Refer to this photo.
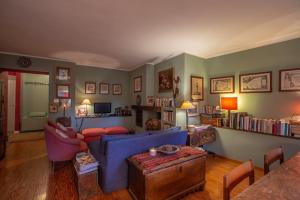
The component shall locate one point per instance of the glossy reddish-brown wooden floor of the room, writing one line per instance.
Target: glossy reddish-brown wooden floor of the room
(25, 174)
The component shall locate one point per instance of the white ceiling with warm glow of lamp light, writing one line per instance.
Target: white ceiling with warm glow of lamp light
(124, 34)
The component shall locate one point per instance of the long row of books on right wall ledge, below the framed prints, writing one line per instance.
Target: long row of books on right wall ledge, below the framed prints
(243, 121)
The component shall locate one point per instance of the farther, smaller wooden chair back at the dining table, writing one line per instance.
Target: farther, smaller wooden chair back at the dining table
(272, 156)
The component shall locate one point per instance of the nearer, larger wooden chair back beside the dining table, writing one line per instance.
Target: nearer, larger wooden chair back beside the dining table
(236, 176)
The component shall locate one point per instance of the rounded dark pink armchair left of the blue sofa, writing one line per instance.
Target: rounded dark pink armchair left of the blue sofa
(61, 147)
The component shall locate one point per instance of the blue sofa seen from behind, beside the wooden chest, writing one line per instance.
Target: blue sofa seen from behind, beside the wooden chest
(112, 153)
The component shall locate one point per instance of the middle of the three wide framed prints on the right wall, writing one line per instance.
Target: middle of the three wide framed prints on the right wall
(256, 82)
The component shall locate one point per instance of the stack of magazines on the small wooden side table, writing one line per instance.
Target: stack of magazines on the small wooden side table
(85, 163)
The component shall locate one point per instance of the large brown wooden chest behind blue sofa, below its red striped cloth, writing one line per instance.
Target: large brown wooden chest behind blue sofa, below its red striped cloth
(169, 180)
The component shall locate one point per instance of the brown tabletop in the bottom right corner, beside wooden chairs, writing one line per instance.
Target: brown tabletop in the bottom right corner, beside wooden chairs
(282, 183)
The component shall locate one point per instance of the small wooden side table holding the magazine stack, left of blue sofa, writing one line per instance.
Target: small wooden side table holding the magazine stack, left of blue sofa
(87, 184)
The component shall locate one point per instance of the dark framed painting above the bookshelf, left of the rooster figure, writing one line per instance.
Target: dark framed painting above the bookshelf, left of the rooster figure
(165, 80)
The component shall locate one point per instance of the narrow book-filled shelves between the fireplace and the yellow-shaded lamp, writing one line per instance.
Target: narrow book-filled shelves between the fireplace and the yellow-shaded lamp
(168, 117)
